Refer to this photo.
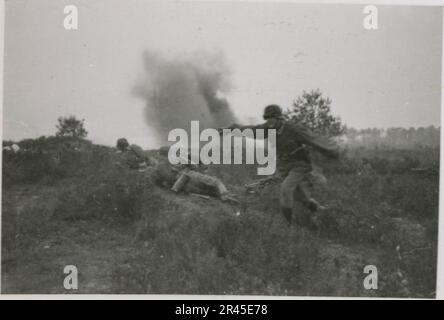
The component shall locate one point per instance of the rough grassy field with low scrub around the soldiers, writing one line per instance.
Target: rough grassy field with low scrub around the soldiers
(66, 202)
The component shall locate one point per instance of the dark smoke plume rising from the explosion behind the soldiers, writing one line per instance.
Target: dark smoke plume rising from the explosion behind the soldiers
(178, 91)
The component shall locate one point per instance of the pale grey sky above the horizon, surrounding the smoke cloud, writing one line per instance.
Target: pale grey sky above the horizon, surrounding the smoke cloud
(375, 78)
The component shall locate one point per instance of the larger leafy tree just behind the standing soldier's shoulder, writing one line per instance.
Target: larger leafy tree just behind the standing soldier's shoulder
(314, 111)
